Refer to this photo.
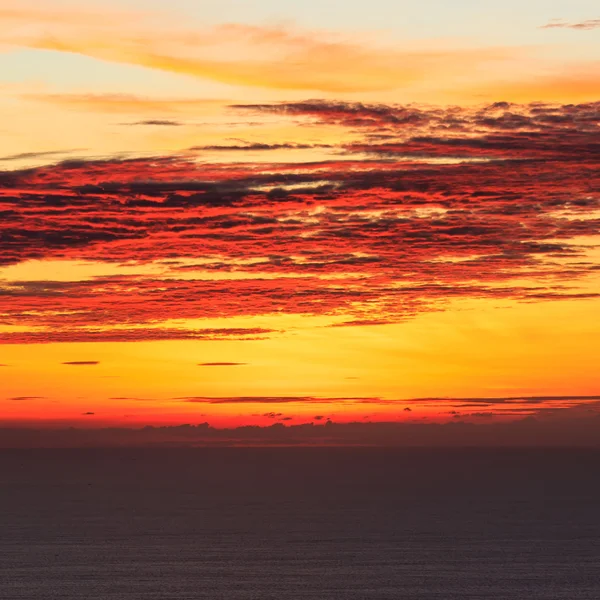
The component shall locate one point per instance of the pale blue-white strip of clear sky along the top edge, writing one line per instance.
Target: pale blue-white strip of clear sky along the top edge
(514, 21)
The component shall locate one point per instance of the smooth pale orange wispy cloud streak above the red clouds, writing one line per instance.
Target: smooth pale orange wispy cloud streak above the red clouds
(266, 56)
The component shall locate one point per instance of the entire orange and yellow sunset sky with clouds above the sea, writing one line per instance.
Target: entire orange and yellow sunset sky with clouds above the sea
(285, 218)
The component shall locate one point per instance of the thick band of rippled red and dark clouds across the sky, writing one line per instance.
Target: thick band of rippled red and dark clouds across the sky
(426, 206)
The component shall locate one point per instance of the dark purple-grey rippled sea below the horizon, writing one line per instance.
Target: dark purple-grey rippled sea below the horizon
(347, 524)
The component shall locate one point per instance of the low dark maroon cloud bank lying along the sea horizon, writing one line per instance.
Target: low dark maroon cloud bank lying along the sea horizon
(582, 432)
